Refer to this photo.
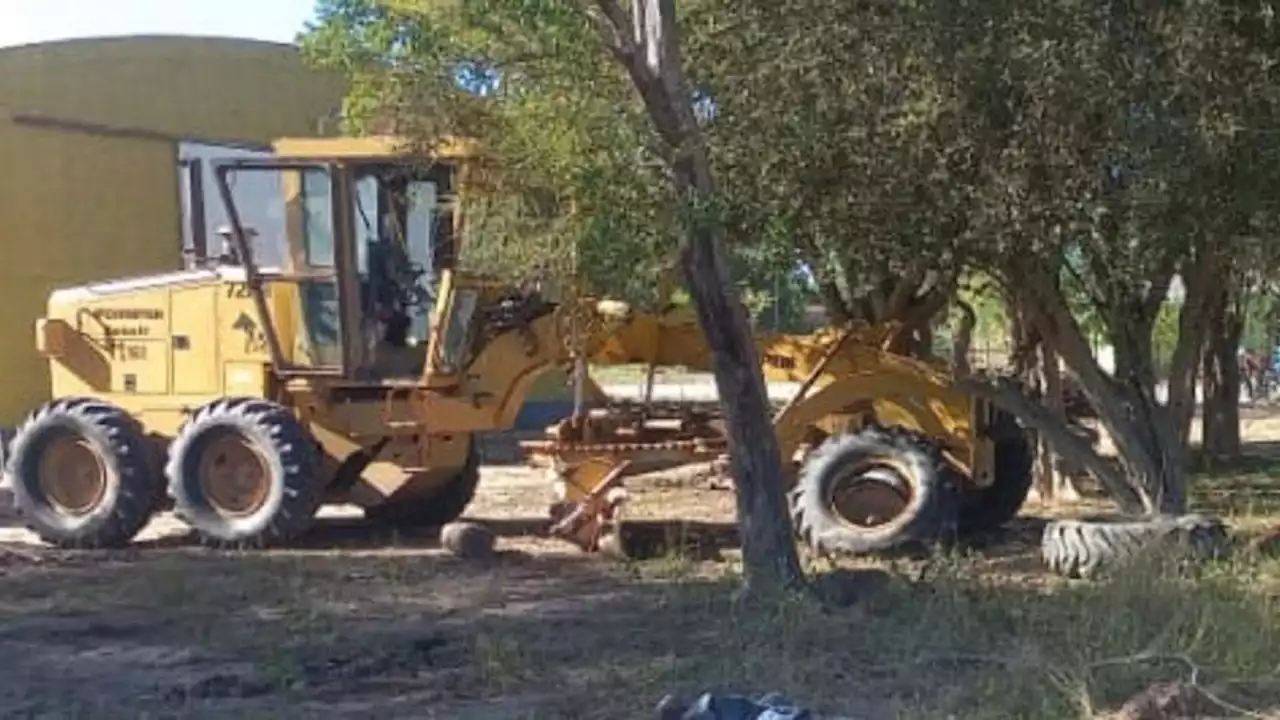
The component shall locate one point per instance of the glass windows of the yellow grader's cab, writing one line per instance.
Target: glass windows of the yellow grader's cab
(400, 221)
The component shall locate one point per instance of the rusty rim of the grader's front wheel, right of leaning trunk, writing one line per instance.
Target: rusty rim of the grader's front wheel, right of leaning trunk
(871, 494)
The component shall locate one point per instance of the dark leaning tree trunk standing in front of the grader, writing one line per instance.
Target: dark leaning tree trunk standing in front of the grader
(646, 44)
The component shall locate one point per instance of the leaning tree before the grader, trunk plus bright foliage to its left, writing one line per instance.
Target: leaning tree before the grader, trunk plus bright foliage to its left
(606, 86)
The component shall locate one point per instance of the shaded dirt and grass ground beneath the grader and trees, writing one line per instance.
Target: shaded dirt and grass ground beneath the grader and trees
(363, 623)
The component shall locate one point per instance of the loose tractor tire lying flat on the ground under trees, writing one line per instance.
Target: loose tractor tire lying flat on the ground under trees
(1090, 548)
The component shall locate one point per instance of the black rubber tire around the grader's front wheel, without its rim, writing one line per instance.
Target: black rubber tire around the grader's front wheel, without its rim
(931, 512)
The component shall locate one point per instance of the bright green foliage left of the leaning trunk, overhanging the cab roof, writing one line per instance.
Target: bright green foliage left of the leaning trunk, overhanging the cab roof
(578, 185)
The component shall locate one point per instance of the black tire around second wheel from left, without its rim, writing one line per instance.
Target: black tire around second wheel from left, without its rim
(291, 455)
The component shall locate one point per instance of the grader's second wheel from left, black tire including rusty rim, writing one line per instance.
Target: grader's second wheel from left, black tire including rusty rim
(244, 473)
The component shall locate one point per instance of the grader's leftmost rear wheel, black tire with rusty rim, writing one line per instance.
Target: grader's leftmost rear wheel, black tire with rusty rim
(84, 475)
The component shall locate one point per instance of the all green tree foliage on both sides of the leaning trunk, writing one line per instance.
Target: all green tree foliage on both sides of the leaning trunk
(1082, 156)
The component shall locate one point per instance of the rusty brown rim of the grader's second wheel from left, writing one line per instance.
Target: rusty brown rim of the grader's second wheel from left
(234, 475)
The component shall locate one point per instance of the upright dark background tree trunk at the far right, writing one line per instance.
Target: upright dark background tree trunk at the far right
(1220, 430)
